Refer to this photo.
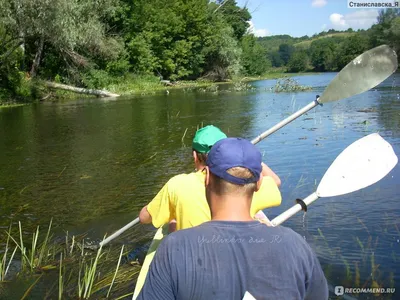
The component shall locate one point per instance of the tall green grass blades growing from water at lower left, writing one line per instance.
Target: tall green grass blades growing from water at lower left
(81, 273)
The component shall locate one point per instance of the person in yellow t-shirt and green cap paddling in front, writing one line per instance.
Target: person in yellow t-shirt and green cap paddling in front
(183, 198)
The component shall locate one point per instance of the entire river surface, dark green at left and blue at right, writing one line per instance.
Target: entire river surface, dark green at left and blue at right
(92, 164)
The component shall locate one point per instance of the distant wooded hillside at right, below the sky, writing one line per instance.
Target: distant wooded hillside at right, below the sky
(332, 50)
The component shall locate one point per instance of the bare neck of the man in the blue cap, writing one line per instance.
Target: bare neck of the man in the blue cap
(230, 209)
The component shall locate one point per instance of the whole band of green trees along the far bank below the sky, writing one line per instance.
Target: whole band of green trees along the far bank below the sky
(99, 43)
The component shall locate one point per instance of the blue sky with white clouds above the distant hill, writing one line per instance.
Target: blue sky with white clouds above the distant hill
(306, 17)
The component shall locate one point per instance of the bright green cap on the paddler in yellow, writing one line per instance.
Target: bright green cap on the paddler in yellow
(206, 137)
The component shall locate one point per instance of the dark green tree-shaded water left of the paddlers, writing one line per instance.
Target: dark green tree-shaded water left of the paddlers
(77, 162)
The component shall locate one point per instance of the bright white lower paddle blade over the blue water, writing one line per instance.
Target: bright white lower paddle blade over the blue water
(361, 164)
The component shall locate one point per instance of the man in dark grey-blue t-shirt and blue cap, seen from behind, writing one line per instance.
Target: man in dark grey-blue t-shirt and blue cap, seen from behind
(233, 255)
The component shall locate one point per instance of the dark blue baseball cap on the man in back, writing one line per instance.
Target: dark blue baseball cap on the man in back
(234, 152)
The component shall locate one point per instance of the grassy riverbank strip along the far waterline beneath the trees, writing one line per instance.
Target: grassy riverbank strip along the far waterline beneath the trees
(136, 85)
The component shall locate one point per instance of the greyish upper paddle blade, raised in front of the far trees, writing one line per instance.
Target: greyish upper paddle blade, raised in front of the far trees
(361, 74)
